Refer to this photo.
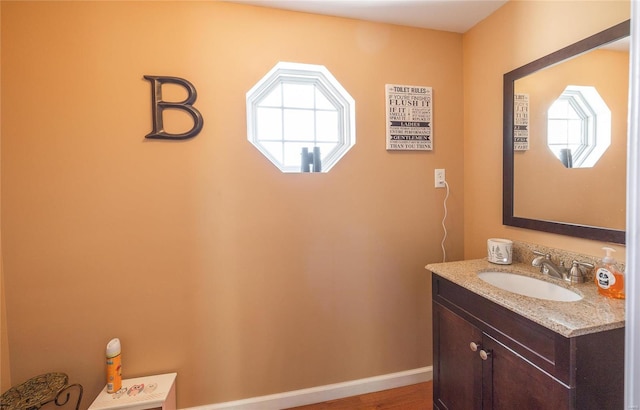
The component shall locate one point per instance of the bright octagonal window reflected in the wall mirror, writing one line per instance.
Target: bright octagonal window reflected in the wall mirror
(579, 127)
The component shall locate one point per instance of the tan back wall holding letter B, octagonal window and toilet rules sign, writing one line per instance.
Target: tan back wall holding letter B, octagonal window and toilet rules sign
(200, 255)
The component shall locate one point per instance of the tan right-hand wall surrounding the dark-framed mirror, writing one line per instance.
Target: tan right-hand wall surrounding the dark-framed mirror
(517, 33)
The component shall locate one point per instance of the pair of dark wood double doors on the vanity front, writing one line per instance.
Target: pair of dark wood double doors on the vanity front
(464, 380)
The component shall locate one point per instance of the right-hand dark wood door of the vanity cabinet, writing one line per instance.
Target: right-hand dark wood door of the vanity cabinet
(511, 382)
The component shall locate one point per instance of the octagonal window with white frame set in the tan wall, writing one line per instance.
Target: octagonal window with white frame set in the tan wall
(301, 118)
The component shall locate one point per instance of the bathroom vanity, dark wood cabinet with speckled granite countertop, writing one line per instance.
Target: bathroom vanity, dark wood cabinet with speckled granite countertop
(495, 349)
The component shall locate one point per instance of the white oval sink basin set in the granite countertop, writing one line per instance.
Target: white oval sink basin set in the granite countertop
(526, 286)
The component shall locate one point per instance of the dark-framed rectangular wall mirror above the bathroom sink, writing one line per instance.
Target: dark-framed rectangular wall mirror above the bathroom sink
(565, 139)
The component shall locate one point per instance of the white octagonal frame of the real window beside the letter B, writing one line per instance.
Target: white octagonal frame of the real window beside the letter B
(323, 81)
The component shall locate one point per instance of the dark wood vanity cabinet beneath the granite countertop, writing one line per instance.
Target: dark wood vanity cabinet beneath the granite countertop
(516, 363)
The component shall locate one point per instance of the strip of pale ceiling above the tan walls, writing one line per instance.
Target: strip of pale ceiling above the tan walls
(447, 15)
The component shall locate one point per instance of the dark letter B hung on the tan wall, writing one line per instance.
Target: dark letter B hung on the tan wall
(159, 106)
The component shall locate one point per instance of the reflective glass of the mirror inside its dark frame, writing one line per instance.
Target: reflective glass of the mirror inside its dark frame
(578, 119)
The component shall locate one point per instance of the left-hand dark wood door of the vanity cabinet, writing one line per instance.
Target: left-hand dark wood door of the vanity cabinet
(457, 380)
